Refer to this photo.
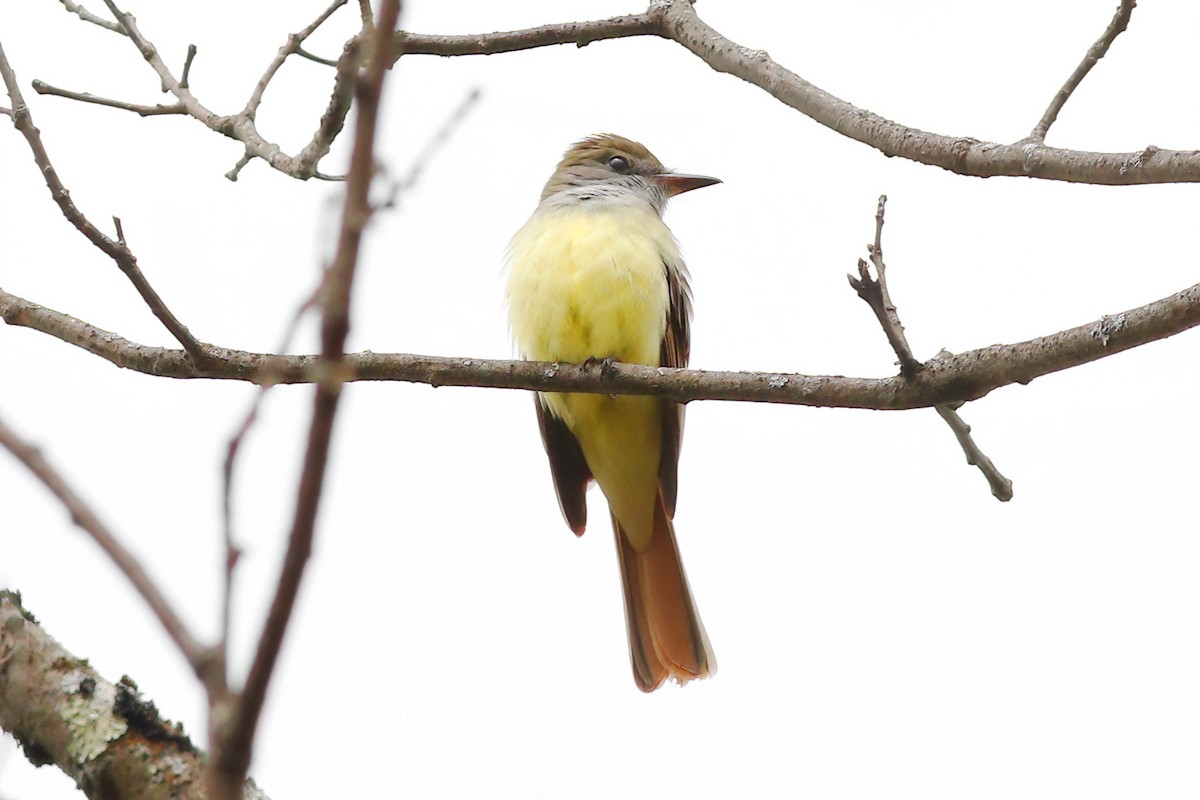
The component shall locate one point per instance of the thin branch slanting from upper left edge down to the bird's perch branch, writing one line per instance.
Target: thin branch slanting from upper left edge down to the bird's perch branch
(118, 251)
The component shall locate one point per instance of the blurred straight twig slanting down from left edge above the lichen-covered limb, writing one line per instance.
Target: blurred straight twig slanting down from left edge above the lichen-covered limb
(82, 515)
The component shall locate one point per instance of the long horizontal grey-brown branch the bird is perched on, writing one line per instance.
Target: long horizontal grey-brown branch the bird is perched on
(946, 378)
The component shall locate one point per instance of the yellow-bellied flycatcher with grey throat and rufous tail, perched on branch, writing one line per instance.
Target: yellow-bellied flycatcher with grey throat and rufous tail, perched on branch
(596, 275)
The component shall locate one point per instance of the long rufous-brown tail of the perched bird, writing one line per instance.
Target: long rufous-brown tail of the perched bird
(667, 639)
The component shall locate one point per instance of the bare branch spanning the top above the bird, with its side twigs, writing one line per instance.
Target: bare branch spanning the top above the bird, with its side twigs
(677, 21)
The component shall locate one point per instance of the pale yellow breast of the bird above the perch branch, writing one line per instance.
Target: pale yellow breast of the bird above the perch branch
(591, 284)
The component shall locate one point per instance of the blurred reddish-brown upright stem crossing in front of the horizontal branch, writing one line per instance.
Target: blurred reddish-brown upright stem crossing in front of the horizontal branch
(233, 755)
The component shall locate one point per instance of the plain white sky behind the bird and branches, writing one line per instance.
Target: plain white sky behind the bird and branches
(885, 628)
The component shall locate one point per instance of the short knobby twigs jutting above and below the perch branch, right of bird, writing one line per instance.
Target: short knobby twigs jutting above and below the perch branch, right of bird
(875, 293)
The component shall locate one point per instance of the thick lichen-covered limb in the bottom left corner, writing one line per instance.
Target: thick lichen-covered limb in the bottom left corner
(104, 737)
